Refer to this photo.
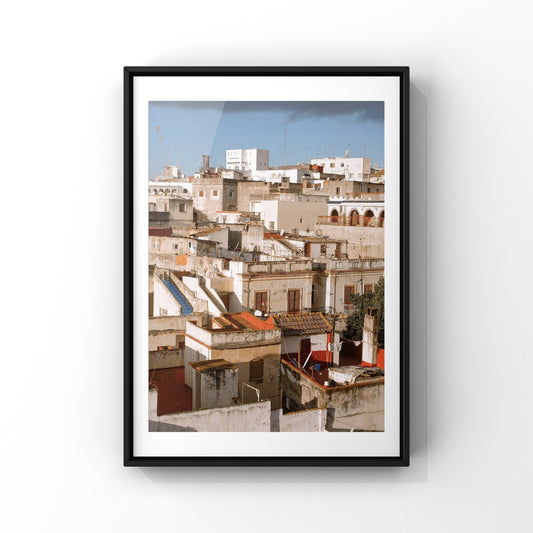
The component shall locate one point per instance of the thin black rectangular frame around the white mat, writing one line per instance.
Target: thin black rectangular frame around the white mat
(130, 459)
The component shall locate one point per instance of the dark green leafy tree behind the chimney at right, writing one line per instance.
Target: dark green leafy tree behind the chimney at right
(356, 319)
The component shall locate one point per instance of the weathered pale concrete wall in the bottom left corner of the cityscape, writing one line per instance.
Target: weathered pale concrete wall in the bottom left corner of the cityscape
(248, 417)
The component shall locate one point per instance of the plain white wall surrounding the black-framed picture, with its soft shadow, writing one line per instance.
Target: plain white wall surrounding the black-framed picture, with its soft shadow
(61, 98)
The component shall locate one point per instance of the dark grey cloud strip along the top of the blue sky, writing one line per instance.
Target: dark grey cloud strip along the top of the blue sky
(294, 111)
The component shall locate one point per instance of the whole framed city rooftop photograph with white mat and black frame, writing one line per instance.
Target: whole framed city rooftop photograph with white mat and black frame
(265, 292)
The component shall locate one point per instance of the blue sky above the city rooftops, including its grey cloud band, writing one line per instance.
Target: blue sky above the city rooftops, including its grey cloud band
(314, 129)
